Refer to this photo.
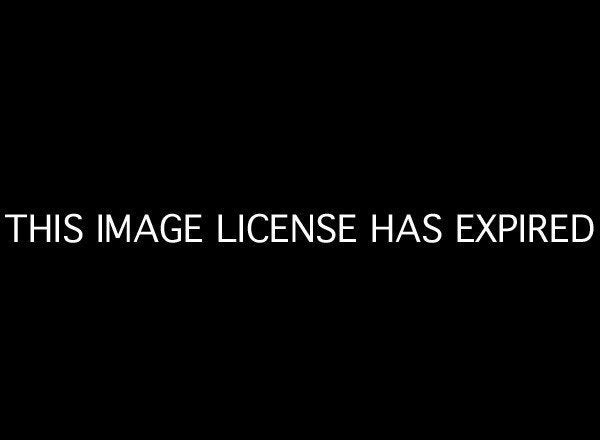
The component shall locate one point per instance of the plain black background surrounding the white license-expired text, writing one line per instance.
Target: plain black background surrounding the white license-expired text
(368, 113)
